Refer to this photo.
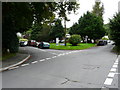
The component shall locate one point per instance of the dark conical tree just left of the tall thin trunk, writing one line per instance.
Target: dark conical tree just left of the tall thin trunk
(57, 30)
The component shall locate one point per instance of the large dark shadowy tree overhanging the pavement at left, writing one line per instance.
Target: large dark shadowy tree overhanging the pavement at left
(19, 17)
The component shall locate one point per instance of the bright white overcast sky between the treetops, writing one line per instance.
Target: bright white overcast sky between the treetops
(110, 6)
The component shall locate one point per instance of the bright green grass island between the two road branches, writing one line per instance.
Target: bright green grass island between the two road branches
(70, 47)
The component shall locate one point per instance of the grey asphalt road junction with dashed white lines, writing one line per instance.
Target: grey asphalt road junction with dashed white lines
(64, 69)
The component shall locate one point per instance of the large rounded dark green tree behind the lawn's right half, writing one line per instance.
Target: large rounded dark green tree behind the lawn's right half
(90, 25)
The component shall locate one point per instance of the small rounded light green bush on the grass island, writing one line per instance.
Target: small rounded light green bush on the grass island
(74, 40)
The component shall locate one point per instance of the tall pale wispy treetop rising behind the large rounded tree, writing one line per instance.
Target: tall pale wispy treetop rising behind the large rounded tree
(98, 8)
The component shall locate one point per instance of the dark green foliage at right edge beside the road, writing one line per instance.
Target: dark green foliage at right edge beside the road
(115, 29)
